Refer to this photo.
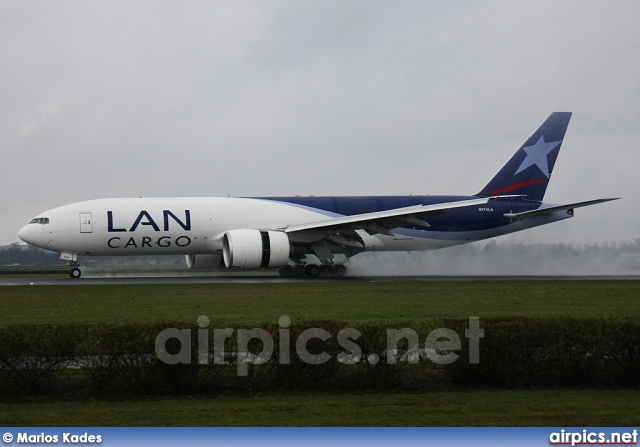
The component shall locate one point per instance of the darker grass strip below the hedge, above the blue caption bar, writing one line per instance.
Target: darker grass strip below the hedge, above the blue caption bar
(473, 408)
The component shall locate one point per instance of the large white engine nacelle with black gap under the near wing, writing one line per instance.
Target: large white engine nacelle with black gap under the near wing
(254, 249)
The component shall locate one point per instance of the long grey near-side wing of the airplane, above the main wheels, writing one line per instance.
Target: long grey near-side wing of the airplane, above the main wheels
(379, 222)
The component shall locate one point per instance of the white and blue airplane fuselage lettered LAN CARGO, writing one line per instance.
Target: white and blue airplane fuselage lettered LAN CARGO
(194, 225)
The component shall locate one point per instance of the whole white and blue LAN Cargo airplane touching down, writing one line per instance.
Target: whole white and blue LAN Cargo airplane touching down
(308, 235)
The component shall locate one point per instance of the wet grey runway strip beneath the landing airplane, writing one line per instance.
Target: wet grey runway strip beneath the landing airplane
(277, 279)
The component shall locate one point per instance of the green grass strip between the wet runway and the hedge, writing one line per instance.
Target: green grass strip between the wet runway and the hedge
(247, 304)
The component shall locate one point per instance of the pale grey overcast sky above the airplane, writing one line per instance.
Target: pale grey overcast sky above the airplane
(206, 98)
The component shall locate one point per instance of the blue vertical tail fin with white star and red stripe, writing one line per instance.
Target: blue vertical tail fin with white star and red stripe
(529, 170)
